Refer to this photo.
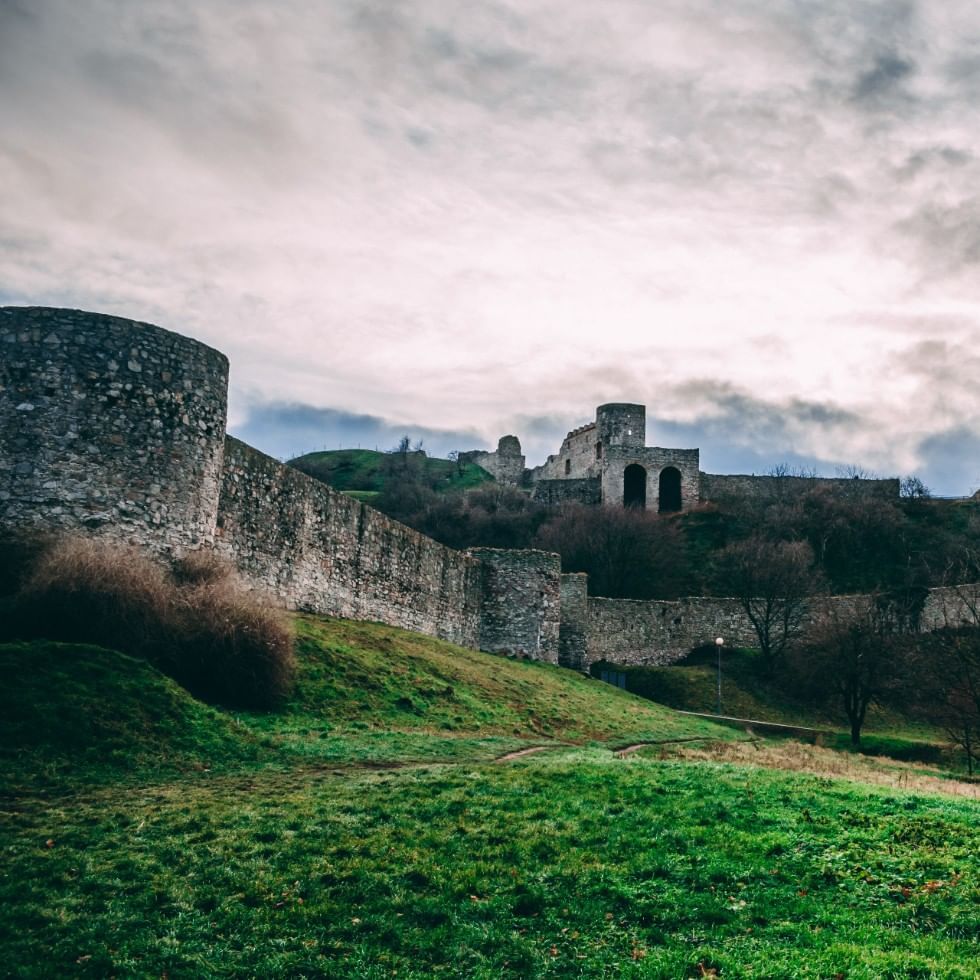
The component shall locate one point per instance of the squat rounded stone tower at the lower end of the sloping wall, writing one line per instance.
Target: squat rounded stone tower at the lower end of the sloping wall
(521, 602)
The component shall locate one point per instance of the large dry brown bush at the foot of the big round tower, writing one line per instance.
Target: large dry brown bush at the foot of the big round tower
(197, 623)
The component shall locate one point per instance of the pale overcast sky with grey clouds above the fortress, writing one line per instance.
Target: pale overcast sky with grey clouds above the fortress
(458, 219)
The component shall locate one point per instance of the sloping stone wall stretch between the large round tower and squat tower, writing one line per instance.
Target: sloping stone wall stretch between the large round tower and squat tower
(322, 551)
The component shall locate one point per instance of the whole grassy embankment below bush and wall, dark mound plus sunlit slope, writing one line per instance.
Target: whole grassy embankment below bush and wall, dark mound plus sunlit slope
(72, 713)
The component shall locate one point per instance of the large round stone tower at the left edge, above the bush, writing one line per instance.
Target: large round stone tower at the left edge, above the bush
(109, 425)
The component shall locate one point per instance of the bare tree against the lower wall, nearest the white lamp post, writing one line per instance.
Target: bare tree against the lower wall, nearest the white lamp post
(773, 582)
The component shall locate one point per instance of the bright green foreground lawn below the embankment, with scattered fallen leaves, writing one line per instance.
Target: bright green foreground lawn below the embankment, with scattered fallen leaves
(574, 865)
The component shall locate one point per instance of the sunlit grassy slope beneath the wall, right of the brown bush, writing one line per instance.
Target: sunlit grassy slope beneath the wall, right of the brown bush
(366, 689)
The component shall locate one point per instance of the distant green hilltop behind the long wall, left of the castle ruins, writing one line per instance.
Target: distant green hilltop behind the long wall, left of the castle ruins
(364, 470)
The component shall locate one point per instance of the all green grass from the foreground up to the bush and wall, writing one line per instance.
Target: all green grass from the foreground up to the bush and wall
(364, 831)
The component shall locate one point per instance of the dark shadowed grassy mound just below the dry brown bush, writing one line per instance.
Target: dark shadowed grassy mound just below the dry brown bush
(72, 713)
